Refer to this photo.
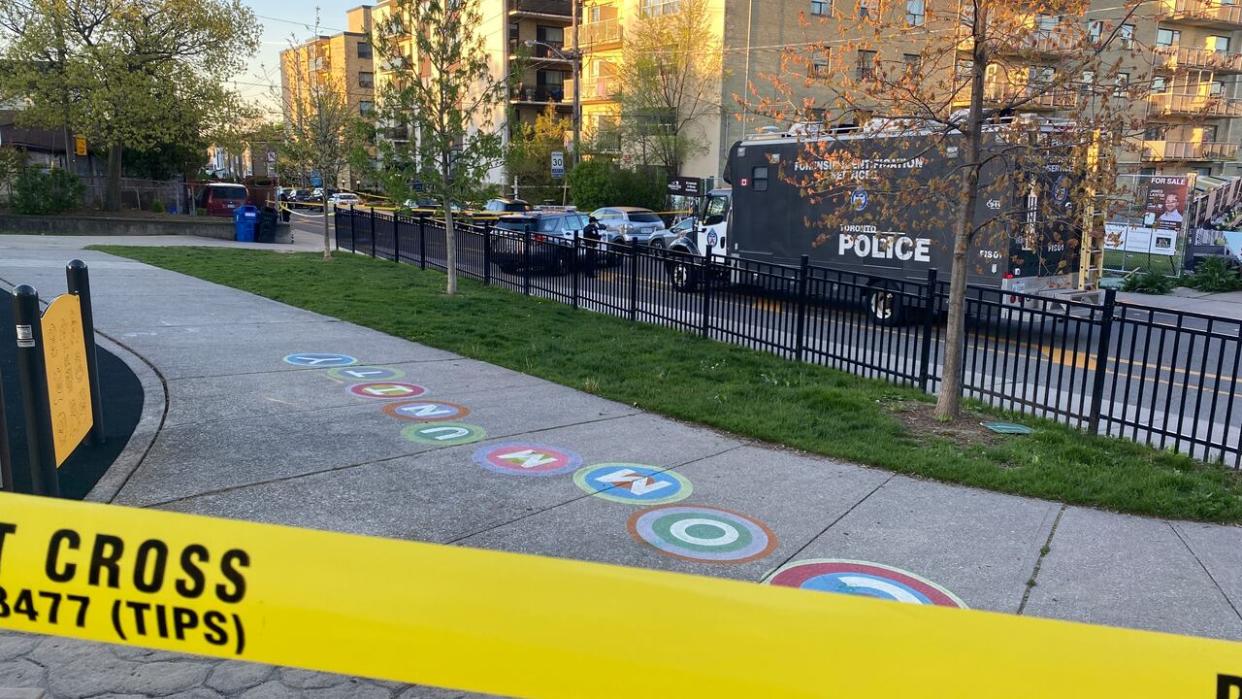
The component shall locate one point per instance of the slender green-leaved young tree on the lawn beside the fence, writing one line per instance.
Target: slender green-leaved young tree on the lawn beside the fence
(449, 96)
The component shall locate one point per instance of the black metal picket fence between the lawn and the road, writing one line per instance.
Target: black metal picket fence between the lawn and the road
(1163, 378)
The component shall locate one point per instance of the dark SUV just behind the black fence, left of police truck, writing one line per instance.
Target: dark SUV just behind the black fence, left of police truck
(552, 240)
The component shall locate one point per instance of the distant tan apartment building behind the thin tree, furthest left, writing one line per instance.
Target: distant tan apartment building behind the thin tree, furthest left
(345, 60)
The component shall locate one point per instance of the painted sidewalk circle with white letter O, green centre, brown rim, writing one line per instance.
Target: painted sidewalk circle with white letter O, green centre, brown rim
(702, 534)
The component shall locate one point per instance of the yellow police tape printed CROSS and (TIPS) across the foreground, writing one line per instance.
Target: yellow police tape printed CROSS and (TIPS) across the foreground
(533, 626)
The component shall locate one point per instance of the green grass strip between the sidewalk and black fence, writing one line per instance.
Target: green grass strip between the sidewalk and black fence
(747, 393)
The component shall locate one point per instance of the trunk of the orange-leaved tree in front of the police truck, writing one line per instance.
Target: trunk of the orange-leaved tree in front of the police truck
(950, 402)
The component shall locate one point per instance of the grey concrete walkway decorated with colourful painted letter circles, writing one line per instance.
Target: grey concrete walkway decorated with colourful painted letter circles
(248, 435)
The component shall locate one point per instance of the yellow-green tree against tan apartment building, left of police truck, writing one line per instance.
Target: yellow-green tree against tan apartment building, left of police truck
(670, 80)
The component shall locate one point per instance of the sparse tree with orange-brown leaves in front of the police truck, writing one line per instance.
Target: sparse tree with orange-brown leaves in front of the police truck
(961, 84)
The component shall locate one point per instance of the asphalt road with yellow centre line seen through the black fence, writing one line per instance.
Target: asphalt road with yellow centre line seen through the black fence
(1169, 379)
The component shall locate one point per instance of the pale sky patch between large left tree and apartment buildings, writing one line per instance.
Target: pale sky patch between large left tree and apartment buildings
(283, 20)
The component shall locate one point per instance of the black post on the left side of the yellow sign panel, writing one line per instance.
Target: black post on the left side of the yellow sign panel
(33, 377)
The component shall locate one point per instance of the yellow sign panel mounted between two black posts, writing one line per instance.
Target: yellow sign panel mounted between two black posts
(69, 388)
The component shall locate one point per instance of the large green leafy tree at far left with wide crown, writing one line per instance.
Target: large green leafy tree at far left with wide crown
(127, 74)
